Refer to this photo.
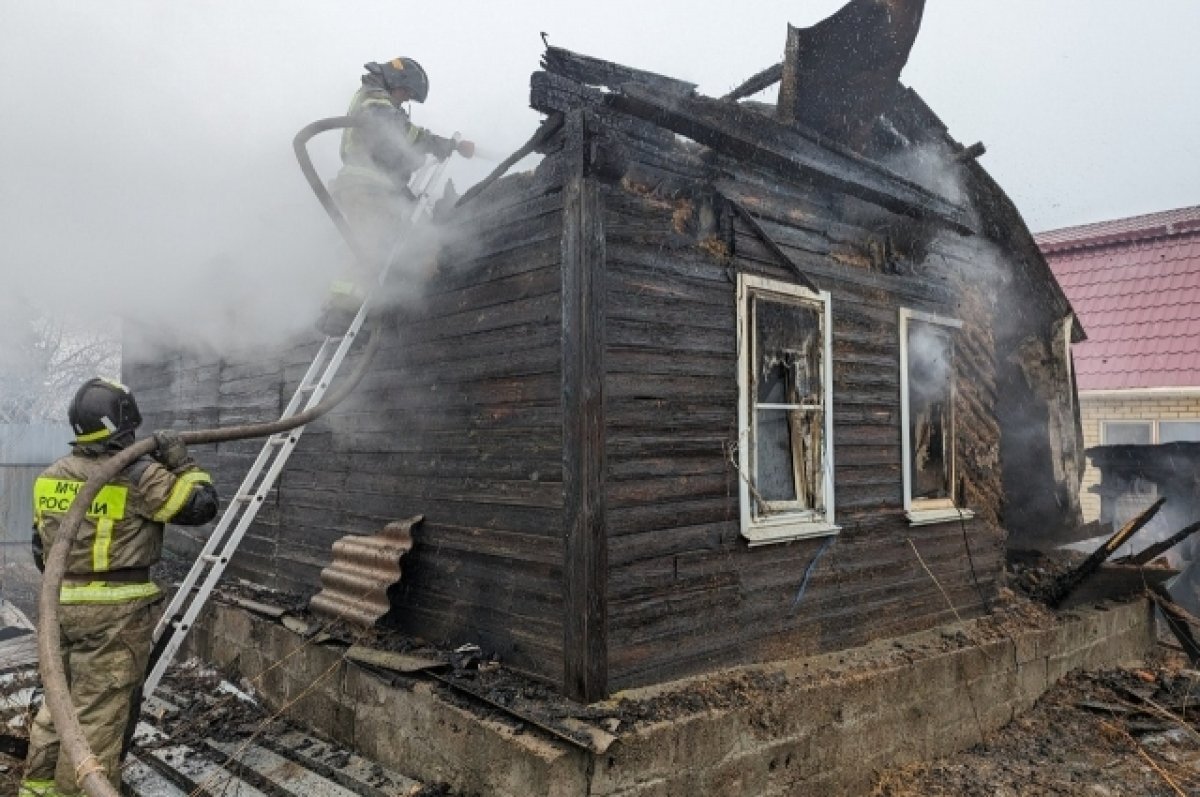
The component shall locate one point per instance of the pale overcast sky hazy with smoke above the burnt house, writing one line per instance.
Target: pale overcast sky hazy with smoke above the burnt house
(147, 146)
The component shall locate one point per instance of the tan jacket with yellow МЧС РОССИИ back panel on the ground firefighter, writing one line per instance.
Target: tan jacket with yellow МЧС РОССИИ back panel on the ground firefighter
(122, 536)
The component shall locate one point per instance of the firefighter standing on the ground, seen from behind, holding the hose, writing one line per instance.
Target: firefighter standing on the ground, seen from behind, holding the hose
(109, 604)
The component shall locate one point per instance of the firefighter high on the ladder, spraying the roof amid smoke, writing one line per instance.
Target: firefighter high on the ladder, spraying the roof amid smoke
(379, 159)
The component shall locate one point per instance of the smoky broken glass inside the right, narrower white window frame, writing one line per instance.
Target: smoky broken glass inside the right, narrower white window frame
(931, 415)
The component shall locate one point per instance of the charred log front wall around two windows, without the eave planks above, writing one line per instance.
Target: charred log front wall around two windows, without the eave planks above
(686, 592)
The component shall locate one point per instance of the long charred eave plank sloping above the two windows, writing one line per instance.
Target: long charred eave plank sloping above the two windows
(793, 154)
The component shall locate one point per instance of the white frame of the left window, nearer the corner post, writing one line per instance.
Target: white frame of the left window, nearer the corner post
(785, 526)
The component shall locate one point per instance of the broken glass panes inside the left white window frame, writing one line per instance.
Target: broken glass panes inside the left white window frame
(788, 387)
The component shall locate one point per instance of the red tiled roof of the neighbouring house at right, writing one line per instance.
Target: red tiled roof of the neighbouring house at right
(1136, 286)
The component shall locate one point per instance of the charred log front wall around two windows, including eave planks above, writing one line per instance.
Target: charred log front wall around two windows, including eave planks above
(686, 594)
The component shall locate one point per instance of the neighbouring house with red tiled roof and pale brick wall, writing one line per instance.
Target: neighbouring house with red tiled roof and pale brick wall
(1136, 285)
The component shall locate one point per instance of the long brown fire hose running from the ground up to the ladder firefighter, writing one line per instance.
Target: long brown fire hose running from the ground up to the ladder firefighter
(89, 775)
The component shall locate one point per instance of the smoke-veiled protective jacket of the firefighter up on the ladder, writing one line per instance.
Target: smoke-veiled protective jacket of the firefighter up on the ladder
(387, 148)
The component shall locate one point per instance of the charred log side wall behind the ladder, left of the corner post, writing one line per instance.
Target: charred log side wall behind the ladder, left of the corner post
(459, 421)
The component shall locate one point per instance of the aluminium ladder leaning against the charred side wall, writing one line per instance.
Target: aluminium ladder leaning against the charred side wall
(181, 615)
